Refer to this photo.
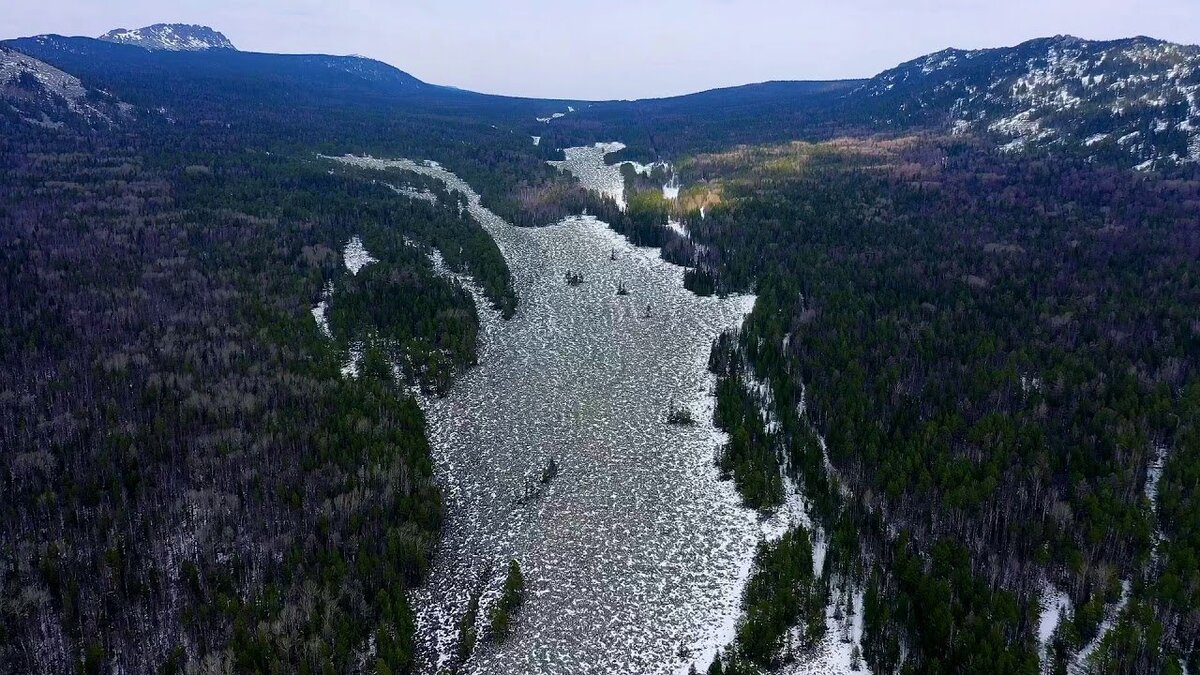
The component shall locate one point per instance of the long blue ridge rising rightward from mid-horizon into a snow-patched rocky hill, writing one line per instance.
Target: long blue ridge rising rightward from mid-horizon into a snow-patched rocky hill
(1131, 103)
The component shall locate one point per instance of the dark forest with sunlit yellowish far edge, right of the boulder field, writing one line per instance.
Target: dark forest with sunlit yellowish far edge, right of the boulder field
(995, 351)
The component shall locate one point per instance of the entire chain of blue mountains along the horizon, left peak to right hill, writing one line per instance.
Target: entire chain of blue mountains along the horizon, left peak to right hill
(1131, 103)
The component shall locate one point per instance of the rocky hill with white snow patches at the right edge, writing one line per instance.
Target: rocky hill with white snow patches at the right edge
(1136, 101)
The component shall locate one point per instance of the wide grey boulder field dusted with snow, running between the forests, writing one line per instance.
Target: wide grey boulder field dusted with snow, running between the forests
(634, 552)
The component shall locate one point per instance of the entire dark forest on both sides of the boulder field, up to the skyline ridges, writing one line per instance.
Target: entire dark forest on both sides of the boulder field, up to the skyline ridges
(980, 367)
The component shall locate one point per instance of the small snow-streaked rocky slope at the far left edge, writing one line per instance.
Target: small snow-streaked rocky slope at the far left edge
(40, 94)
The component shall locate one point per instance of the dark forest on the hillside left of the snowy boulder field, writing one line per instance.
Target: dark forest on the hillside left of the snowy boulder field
(189, 477)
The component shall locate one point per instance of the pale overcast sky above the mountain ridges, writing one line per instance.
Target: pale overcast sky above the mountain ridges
(593, 50)
